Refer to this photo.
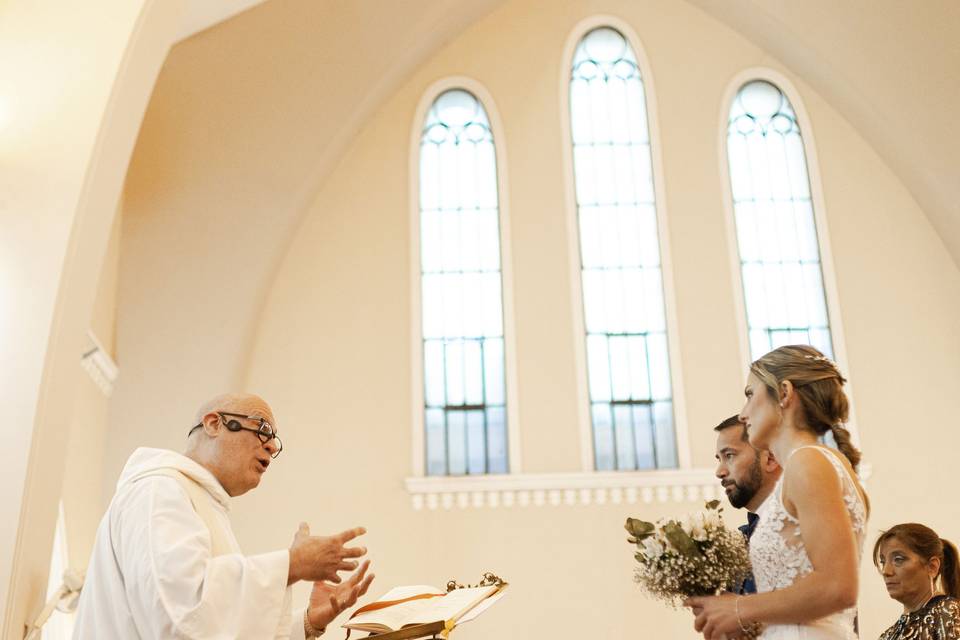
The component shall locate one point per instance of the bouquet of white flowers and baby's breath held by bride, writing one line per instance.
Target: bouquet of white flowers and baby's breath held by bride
(697, 556)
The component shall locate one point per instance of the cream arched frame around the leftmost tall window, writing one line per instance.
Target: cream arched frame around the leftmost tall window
(418, 458)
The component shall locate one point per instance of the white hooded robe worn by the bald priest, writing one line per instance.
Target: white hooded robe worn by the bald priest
(166, 563)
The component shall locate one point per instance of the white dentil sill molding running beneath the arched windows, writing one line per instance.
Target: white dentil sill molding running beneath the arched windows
(568, 489)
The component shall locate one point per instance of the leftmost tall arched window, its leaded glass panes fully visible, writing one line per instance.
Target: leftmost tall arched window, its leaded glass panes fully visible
(462, 310)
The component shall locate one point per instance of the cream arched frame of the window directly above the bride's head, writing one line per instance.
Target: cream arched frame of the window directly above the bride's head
(828, 272)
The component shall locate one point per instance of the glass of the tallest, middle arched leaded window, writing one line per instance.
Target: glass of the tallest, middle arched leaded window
(628, 363)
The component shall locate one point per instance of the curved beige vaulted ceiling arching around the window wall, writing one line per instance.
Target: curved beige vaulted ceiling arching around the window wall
(221, 109)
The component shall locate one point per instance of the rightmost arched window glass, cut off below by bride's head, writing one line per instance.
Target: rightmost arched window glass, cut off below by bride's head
(776, 231)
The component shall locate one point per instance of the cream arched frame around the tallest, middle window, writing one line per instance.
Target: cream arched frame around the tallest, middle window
(587, 453)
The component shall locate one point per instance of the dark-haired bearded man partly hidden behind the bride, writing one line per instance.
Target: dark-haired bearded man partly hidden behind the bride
(748, 476)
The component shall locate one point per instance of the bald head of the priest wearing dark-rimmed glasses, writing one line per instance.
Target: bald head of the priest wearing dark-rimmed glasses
(237, 457)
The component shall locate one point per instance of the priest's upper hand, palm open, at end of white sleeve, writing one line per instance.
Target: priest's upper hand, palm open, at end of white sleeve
(320, 558)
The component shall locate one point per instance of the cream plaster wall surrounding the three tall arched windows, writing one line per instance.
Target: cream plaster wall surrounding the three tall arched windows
(333, 352)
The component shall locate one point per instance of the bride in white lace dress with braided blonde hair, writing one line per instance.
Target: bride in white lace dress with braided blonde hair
(807, 545)
